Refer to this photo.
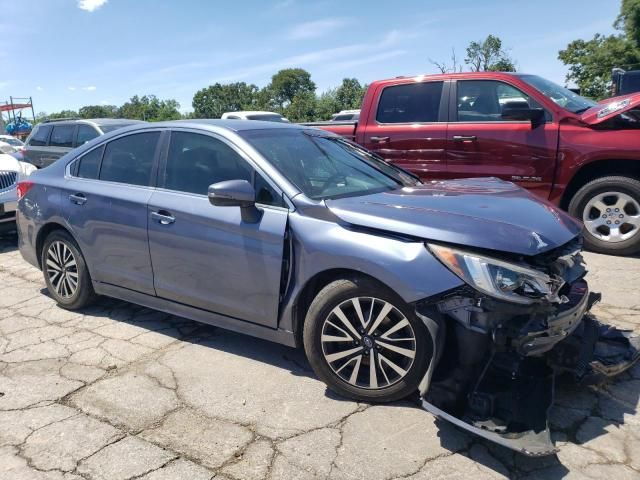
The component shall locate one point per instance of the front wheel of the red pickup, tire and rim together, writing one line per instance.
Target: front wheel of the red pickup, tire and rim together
(610, 210)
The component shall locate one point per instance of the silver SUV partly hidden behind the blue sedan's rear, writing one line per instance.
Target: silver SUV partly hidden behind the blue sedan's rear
(51, 139)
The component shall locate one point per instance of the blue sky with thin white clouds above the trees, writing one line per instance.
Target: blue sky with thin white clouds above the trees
(70, 53)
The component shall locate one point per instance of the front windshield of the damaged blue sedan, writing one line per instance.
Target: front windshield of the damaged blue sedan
(325, 167)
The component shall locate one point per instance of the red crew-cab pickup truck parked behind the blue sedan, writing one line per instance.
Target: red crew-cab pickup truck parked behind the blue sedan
(578, 154)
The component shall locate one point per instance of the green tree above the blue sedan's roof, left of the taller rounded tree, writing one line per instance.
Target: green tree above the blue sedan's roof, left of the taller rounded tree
(213, 101)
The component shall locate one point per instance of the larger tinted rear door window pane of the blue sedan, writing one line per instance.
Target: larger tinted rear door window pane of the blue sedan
(130, 159)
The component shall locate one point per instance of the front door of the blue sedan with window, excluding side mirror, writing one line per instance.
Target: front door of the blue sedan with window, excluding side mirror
(206, 256)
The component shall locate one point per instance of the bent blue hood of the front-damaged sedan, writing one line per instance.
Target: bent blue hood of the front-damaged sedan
(483, 213)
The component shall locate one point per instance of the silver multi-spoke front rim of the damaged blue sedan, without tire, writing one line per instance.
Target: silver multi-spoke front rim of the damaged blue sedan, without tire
(368, 343)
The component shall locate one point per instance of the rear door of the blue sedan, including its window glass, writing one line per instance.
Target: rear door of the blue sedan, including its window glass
(106, 197)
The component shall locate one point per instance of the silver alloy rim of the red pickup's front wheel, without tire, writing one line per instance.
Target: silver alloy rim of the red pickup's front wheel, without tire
(612, 216)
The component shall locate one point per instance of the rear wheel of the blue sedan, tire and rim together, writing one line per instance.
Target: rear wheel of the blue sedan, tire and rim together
(60, 282)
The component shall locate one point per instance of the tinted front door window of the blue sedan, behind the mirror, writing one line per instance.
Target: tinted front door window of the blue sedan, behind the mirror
(196, 161)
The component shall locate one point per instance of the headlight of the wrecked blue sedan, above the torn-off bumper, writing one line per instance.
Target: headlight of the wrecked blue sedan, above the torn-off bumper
(497, 278)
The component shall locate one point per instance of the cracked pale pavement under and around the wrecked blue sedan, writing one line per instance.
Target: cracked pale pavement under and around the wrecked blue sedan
(118, 391)
